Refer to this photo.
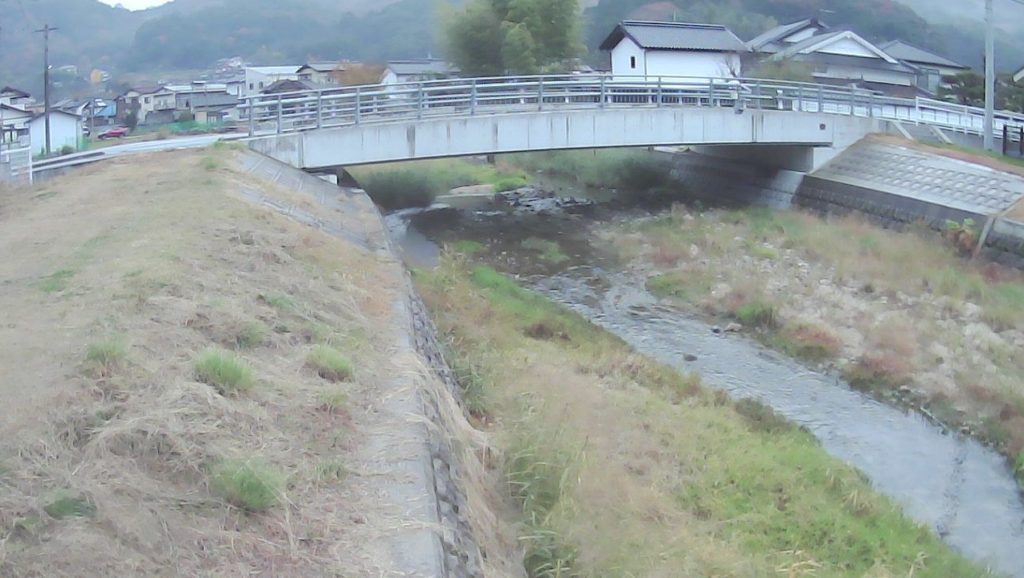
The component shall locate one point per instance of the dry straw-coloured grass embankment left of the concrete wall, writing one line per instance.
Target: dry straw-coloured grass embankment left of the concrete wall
(187, 379)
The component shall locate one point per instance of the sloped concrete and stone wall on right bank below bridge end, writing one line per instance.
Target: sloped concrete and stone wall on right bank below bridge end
(892, 186)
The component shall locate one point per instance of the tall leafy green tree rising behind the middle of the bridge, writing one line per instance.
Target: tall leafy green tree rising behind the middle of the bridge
(493, 37)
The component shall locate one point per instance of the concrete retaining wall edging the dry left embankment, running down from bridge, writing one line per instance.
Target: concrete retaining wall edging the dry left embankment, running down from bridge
(436, 538)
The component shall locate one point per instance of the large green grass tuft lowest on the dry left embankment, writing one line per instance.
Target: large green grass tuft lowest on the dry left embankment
(250, 485)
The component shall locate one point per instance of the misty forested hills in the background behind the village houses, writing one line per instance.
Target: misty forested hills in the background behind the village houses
(194, 34)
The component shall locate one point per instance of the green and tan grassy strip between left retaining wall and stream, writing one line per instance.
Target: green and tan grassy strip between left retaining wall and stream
(623, 467)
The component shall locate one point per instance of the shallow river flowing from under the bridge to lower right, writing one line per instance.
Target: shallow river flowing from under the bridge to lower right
(963, 490)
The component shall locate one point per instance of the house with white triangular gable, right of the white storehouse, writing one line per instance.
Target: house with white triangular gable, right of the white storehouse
(843, 58)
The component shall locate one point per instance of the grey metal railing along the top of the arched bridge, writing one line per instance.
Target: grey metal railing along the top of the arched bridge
(277, 114)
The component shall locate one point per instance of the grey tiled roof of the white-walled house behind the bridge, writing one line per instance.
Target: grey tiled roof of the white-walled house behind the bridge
(675, 36)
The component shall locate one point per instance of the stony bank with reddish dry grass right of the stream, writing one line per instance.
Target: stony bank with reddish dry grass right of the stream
(901, 315)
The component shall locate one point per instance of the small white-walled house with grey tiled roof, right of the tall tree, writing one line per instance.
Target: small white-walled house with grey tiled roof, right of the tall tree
(674, 50)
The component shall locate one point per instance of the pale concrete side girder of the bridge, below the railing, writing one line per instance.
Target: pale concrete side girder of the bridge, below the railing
(795, 142)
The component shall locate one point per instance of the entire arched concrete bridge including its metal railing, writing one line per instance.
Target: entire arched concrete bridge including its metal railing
(789, 126)
